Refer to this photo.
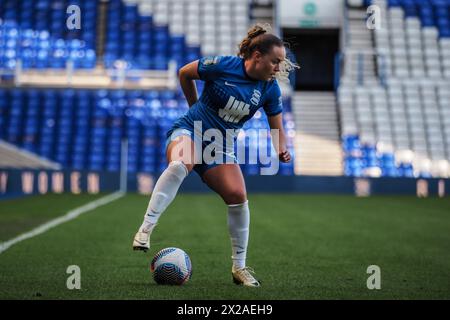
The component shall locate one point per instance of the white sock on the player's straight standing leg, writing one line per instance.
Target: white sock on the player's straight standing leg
(238, 226)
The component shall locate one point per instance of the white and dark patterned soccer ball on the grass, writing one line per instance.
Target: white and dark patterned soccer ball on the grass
(171, 266)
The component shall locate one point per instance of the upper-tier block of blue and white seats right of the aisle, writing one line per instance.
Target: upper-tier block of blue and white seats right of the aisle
(151, 33)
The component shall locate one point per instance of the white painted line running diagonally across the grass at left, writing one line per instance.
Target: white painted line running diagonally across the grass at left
(72, 214)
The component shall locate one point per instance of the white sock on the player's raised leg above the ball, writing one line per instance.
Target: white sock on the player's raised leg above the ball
(164, 192)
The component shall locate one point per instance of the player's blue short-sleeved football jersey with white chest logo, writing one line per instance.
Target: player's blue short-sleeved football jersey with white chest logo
(230, 97)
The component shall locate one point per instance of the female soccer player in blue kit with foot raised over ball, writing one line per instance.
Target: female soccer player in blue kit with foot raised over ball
(235, 88)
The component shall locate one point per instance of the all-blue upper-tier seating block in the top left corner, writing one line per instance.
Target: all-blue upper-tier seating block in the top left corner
(35, 33)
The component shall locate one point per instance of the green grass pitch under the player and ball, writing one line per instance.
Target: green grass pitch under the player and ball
(301, 247)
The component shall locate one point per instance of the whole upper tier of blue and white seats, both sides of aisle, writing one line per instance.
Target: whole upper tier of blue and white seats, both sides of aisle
(145, 34)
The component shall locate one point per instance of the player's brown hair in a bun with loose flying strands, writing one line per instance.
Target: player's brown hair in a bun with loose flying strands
(260, 39)
